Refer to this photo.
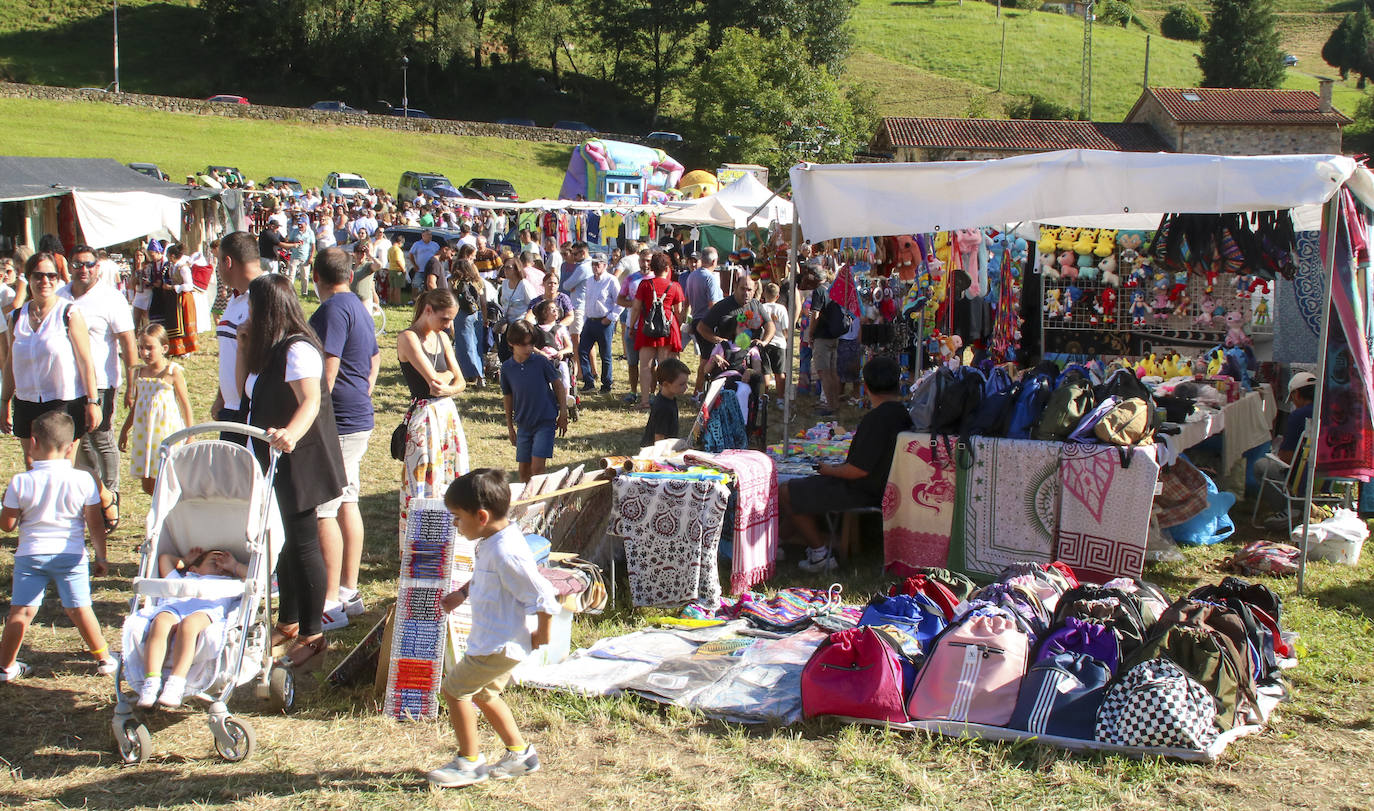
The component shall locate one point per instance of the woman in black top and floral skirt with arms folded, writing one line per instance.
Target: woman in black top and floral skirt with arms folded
(436, 449)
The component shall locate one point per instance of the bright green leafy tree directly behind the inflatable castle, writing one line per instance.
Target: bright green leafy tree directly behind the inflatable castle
(763, 101)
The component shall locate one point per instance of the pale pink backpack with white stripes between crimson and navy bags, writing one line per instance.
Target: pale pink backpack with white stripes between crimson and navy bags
(973, 674)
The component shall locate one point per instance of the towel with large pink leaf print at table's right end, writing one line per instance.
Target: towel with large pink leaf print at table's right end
(1105, 511)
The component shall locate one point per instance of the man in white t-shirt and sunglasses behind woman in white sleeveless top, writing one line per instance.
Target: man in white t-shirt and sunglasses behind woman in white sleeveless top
(111, 325)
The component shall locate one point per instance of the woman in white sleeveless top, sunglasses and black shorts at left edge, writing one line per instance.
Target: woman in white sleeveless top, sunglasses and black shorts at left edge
(49, 366)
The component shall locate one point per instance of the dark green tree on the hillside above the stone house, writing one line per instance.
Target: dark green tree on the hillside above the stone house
(1241, 47)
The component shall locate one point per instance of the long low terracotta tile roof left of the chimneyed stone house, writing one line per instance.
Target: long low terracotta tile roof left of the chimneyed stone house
(1022, 137)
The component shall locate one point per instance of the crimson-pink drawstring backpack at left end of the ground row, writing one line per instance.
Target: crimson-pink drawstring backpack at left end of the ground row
(857, 674)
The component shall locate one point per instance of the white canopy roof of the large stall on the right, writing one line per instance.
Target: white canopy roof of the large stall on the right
(850, 200)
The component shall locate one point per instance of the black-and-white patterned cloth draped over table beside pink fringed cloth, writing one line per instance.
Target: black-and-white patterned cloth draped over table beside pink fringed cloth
(673, 534)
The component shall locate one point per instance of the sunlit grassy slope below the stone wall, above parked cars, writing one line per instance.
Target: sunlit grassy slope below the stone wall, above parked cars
(182, 144)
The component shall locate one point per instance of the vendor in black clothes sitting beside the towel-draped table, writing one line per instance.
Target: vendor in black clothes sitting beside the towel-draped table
(861, 480)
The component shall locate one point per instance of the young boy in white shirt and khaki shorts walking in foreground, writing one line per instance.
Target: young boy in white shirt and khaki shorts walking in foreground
(506, 588)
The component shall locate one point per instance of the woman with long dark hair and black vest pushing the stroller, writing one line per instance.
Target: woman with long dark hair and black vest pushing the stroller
(281, 372)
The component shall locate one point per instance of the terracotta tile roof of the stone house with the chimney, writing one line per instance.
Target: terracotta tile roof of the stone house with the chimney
(1241, 107)
